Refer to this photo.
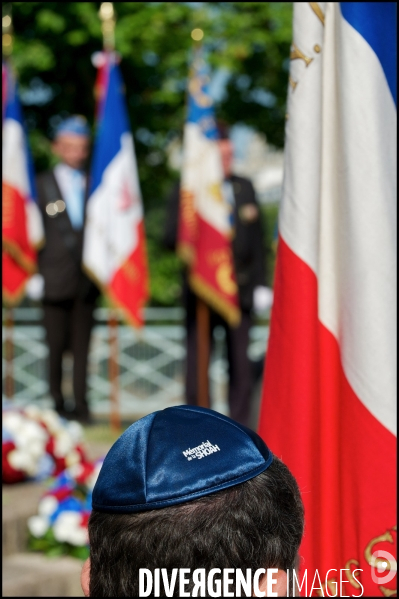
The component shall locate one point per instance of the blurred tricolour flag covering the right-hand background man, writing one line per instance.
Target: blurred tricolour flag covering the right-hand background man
(205, 232)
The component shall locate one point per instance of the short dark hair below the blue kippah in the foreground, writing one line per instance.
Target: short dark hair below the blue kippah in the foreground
(256, 524)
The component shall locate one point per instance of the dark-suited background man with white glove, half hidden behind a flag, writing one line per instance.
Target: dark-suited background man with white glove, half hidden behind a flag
(249, 262)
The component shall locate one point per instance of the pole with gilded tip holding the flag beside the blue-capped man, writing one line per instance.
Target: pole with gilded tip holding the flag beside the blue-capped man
(107, 16)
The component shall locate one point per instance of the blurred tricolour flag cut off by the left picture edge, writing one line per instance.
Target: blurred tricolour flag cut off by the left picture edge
(22, 223)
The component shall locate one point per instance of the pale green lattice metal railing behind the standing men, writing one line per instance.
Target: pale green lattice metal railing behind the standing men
(151, 362)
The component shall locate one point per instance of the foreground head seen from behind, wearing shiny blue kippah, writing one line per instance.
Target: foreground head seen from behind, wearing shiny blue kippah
(189, 488)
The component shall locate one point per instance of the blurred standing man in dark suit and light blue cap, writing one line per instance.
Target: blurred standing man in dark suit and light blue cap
(69, 296)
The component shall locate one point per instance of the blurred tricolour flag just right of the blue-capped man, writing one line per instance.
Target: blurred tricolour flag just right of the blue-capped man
(114, 253)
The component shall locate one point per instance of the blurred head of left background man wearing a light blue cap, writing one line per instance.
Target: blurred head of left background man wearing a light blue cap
(72, 141)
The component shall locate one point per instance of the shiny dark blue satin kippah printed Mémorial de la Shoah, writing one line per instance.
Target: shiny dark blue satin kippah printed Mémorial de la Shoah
(177, 455)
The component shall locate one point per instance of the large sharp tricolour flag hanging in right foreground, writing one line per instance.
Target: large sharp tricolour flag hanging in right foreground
(329, 397)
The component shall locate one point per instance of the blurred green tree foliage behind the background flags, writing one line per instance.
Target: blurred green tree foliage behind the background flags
(53, 44)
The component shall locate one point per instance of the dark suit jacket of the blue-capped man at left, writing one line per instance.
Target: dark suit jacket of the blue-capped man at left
(61, 257)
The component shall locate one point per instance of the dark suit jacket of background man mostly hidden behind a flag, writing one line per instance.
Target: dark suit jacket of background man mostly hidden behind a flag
(247, 244)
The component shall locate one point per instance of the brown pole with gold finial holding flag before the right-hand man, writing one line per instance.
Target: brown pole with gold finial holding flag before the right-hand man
(202, 309)
